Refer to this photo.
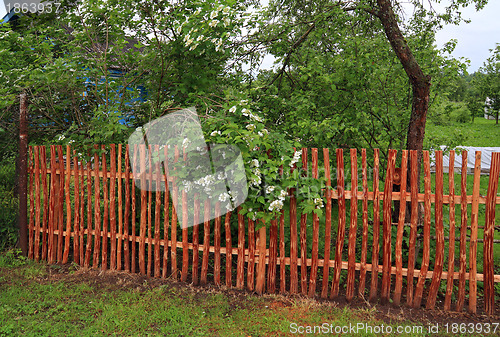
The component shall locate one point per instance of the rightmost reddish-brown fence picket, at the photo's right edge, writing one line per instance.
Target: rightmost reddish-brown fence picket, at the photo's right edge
(489, 227)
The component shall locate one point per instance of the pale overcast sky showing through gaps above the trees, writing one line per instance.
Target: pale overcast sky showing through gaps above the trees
(474, 39)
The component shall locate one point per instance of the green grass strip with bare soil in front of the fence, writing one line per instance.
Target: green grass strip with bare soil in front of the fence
(41, 300)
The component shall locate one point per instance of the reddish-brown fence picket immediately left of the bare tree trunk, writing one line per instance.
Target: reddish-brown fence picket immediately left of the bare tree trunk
(400, 231)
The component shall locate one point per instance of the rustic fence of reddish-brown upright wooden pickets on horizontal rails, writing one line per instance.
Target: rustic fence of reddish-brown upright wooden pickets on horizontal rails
(93, 215)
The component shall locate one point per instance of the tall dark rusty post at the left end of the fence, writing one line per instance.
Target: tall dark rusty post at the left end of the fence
(23, 176)
